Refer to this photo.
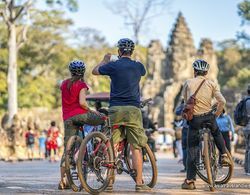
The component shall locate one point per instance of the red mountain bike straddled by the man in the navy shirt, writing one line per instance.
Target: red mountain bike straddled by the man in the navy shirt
(98, 157)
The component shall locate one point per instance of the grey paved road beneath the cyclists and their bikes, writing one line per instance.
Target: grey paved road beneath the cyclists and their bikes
(41, 177)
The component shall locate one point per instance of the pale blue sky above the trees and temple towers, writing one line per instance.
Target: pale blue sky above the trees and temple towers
(214, 19)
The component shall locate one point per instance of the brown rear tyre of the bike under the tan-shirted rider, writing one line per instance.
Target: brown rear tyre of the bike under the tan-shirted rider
(207, 161)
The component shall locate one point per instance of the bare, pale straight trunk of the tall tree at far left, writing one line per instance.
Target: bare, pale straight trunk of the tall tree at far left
(12, 72)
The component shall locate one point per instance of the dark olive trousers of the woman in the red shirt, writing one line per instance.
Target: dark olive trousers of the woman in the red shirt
(71, 126)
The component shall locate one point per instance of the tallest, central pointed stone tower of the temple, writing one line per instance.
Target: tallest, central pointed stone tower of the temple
(181, 53)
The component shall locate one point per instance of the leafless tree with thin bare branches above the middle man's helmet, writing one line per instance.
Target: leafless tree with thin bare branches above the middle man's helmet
(137, 13)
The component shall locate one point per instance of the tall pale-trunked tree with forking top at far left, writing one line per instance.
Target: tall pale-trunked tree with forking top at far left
(16, 15)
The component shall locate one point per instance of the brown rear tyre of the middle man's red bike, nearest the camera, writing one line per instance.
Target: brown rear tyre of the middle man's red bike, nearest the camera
(82, 155)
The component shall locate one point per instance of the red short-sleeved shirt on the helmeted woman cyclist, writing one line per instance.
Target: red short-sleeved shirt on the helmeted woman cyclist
(70, 99)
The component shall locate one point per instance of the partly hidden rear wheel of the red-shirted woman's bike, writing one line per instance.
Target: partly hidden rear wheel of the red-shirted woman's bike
(71, 156)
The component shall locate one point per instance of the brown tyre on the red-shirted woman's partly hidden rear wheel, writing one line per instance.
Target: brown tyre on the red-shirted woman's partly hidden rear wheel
(73, 142)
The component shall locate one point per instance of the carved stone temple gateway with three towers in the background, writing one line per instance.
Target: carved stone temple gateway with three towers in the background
(168, 69)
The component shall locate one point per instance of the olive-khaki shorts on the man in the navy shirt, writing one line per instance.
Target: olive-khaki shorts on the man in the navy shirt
(131, 118)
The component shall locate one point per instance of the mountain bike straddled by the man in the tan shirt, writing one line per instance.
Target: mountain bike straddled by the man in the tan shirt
(208, 167)
